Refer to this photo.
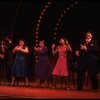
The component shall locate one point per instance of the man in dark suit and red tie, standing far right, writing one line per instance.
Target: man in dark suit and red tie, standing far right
(87, 62)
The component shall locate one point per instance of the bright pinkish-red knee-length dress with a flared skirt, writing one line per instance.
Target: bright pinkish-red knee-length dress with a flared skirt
(61, 68)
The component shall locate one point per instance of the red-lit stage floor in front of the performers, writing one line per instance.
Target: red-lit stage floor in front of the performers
(12, 92)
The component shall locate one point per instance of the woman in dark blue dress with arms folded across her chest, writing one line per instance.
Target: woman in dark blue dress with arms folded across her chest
(20, 64)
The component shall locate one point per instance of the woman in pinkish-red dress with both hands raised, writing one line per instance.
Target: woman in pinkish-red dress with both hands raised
(61, 67)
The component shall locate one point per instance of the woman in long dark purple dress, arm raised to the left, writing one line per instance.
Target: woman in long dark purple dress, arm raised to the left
(42, 66)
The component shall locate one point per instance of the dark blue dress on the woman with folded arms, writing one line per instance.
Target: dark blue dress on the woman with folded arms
(19, 68)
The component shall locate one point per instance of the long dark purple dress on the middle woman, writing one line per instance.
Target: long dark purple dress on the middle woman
(42, 66)
